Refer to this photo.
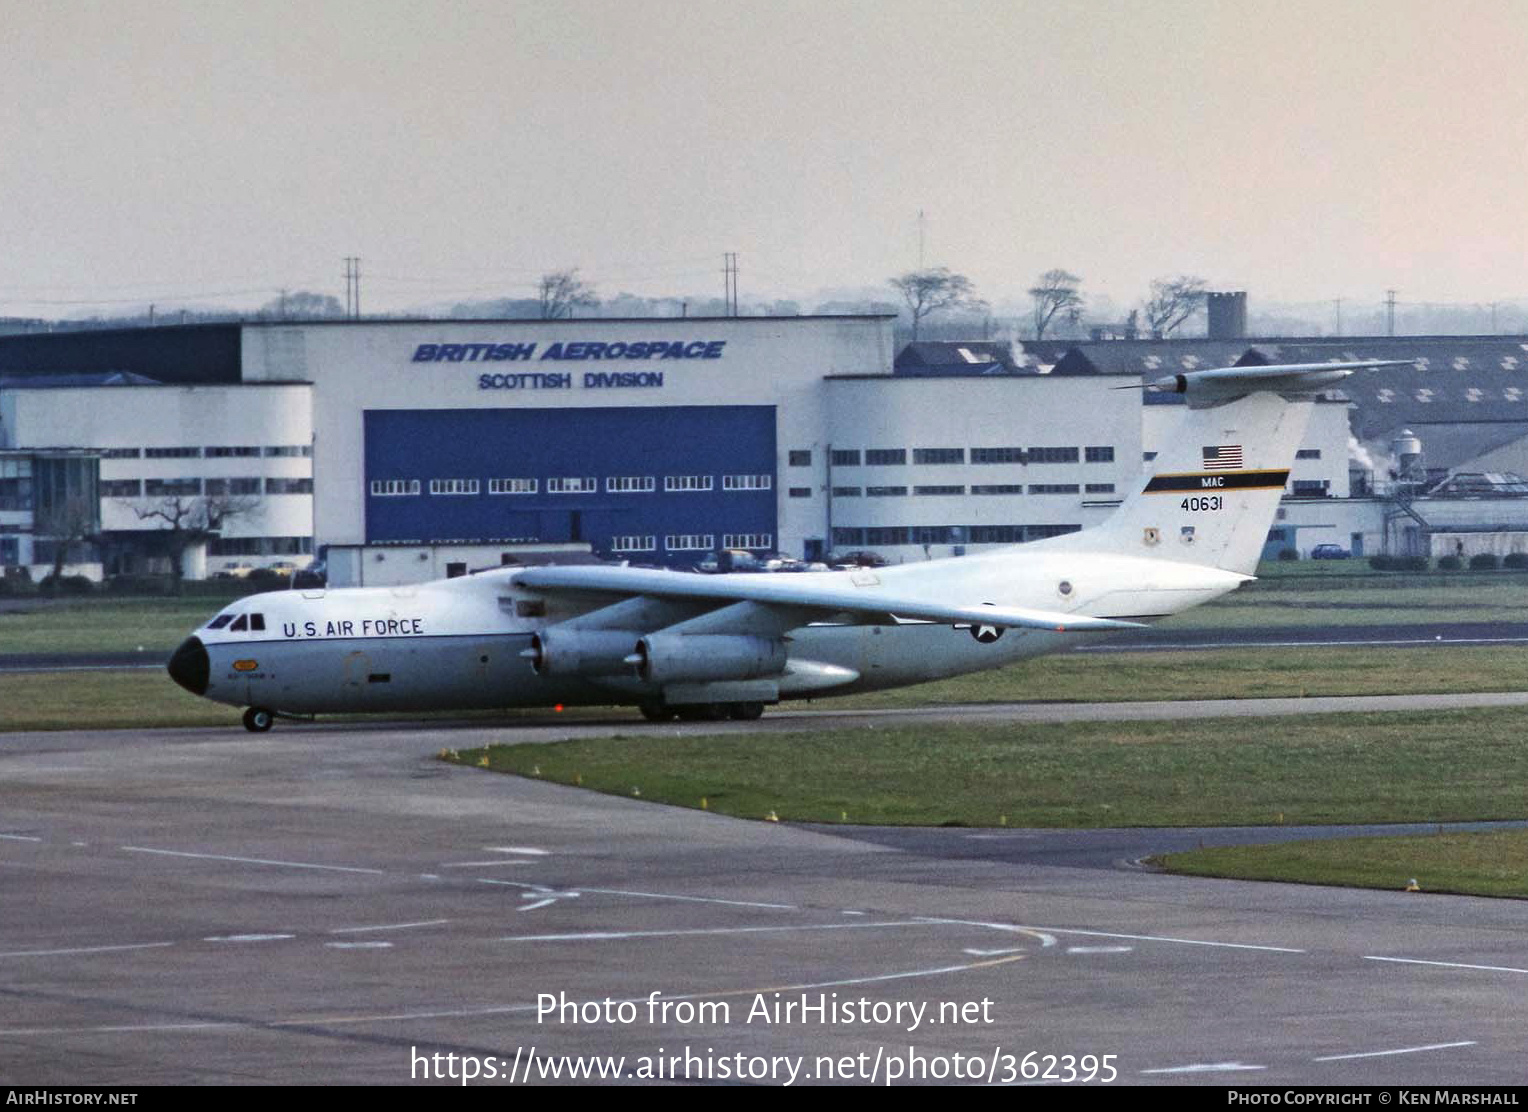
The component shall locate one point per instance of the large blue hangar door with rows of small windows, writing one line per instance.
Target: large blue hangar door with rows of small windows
(661, 485)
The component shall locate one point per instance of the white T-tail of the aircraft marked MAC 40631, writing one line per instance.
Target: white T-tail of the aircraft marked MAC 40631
(1212, 493)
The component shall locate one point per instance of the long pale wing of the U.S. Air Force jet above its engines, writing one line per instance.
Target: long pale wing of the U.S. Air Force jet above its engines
(780, 590)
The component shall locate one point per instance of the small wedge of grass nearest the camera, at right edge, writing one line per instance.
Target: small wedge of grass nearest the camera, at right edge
(1484, 864)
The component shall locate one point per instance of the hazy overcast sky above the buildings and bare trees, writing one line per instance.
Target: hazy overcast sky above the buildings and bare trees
(1303, 150)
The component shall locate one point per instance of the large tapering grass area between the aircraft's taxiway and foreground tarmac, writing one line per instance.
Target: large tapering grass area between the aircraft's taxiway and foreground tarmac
(1324, 769)
